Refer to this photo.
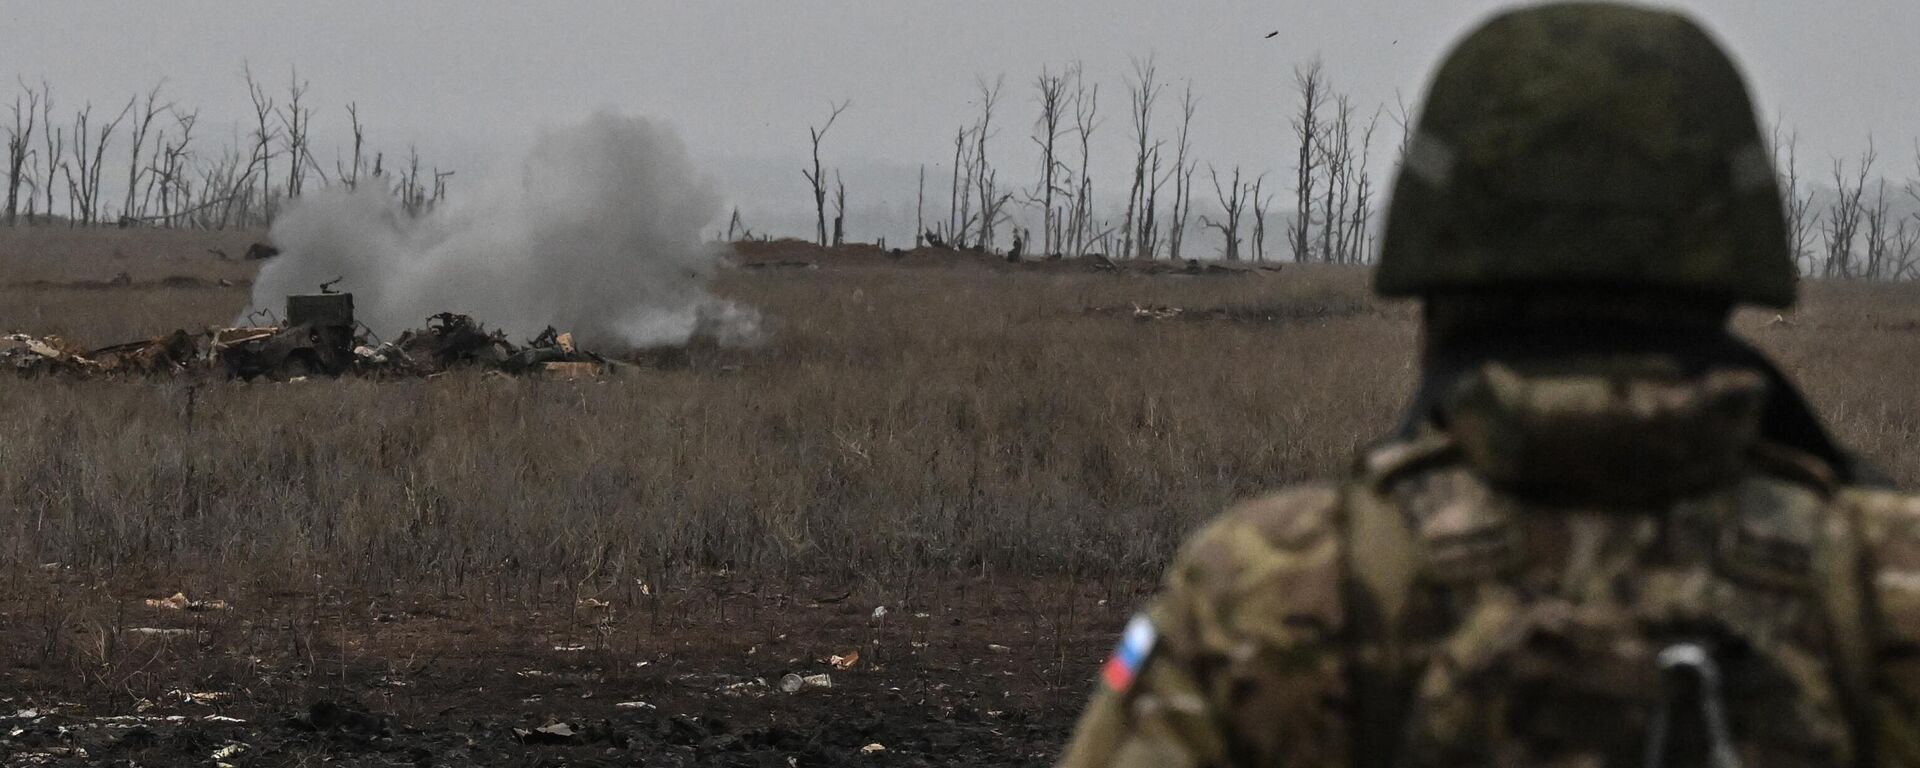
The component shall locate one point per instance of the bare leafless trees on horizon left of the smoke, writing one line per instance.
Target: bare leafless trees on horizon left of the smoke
(57, 166)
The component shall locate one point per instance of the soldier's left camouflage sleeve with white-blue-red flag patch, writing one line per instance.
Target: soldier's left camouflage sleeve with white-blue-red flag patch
(1243, 667)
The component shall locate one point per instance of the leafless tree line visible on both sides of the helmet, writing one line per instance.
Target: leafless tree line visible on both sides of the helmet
(1860, 228)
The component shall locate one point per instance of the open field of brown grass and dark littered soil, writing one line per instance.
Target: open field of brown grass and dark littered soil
(999, 456)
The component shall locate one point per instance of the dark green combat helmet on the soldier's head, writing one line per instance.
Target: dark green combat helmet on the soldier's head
(1589, 147)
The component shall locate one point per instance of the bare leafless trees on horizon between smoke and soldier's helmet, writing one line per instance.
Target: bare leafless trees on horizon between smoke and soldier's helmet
(1333, 191)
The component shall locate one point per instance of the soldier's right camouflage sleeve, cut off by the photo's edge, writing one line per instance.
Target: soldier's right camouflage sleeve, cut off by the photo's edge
(1892, 531)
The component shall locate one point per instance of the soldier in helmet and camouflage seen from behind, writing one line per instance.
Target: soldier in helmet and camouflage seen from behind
(1608, 533)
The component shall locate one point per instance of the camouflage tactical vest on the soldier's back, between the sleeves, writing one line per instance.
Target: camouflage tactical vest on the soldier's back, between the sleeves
(1585, 571)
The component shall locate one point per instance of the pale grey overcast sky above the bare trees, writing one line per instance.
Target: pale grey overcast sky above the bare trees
(740, 80)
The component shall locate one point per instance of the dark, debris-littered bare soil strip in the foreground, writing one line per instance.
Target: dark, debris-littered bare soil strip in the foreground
(980, 675)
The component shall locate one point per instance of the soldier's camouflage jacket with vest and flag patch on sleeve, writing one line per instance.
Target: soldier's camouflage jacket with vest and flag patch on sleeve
(1428, 615)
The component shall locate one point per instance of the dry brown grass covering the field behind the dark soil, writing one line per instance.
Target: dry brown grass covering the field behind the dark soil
(901, 421)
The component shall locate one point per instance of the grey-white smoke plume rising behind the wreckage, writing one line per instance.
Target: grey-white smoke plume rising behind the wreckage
(600, 233)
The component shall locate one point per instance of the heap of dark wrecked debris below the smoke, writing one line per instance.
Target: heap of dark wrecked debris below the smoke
(318, 339)
